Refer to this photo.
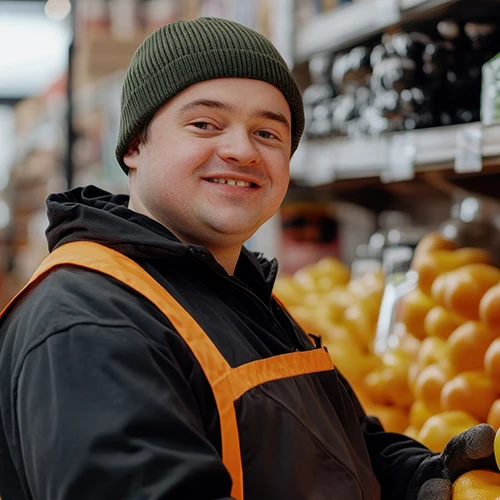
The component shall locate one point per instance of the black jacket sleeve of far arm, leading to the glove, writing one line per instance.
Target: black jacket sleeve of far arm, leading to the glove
(394, 457)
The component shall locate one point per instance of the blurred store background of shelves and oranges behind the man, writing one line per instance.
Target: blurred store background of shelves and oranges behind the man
(397, 176)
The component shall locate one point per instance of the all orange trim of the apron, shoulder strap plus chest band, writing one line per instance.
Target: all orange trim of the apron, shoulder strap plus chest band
(228, 384)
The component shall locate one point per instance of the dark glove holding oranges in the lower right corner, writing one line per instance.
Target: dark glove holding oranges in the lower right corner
(470, 450)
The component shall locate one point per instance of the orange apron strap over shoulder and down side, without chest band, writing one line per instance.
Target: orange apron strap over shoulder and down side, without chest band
(112, 263)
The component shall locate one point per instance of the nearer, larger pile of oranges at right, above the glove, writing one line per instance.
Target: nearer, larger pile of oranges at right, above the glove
(454, 376)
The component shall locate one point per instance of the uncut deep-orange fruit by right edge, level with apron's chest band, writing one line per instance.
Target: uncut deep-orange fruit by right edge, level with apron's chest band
(468, 345)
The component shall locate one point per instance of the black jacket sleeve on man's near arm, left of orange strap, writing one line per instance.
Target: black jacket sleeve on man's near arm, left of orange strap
(103, 413)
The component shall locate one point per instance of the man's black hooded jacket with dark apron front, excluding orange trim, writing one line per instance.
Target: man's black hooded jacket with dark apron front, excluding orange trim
(102, 399)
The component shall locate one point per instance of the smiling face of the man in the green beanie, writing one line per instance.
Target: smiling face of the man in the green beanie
(215, 165)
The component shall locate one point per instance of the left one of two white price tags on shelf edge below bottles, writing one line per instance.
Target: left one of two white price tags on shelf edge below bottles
(400, 159)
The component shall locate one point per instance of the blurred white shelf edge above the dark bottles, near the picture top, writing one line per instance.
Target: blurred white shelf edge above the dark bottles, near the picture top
(345, 26)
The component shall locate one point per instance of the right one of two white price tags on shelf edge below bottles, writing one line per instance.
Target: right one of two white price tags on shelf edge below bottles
(469, 157)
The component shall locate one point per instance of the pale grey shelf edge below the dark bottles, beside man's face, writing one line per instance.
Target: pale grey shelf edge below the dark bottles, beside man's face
(322, 161)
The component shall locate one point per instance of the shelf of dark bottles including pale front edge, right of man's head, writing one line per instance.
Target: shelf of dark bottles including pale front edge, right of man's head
(410, 102)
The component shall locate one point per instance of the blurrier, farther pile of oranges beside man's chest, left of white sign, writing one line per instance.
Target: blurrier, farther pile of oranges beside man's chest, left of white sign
(324, 300)
